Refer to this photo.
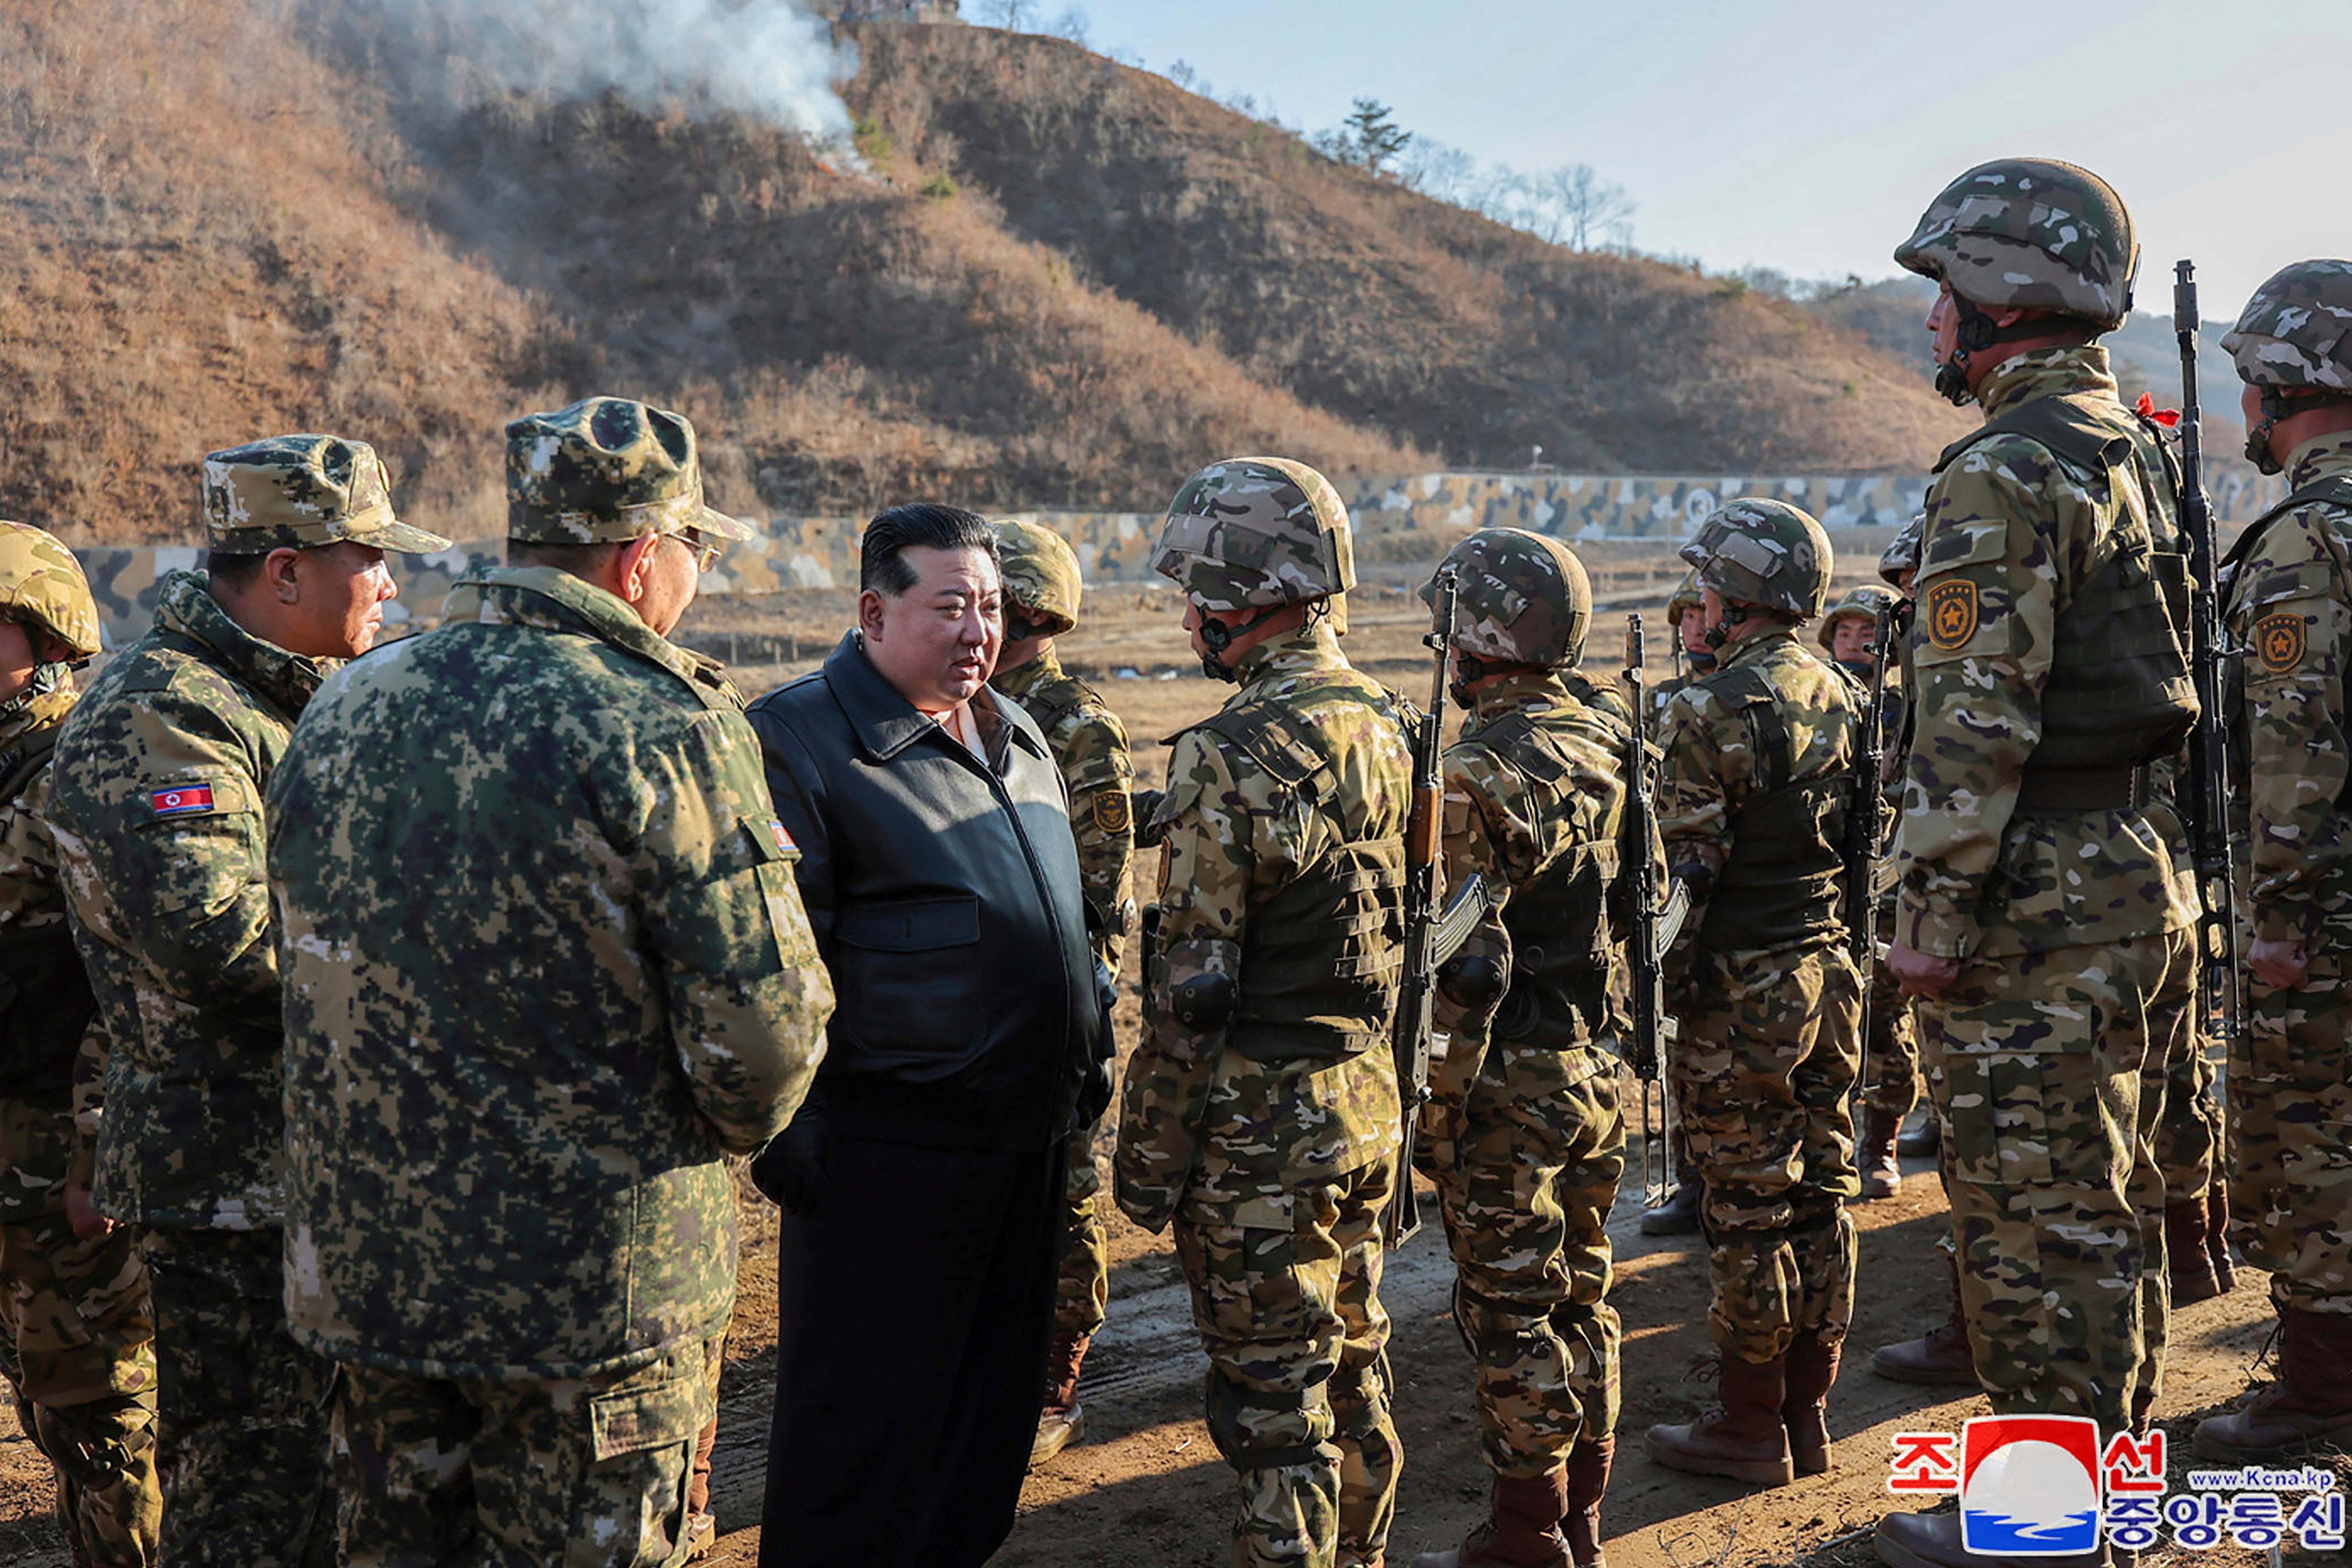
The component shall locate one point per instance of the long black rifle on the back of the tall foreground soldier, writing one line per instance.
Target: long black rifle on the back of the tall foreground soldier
(2210, 758)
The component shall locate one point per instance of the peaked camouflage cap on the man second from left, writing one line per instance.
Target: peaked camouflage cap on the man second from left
(302, 492)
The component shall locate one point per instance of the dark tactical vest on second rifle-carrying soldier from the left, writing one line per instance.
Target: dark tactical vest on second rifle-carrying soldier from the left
(1561, 942)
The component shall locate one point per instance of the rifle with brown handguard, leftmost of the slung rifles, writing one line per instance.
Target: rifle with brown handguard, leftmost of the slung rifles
(1422, 918)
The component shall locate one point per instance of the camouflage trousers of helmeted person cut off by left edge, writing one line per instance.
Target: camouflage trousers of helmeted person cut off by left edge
(79, 1346)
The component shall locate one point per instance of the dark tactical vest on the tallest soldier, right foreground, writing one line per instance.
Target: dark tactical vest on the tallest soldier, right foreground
(2120, 692)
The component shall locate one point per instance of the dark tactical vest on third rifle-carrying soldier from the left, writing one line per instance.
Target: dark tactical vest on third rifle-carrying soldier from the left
(1789, 840)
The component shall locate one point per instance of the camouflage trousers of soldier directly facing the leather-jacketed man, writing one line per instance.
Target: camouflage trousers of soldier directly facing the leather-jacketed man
(1285, 1296)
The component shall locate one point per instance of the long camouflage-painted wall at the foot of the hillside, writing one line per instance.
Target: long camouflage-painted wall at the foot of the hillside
(1116, 547)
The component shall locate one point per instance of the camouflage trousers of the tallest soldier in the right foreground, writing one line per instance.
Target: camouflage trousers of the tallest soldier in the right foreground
(2040, 1078)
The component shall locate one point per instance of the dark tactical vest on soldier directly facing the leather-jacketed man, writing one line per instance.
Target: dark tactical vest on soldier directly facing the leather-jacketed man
(1325, 956)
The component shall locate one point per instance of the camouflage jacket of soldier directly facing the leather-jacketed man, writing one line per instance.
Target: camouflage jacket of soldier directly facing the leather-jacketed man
(1201, 1123)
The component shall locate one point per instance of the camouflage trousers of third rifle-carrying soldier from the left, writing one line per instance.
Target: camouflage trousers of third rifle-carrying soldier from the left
(1763, 1073)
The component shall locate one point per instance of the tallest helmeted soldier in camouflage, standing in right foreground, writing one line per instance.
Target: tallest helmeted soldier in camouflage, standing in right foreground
(2040, 906)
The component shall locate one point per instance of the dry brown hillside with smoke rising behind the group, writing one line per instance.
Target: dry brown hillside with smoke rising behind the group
(1062, 283)
